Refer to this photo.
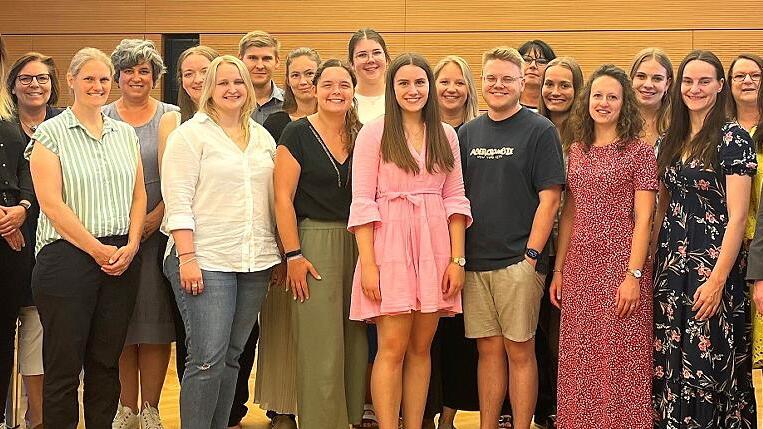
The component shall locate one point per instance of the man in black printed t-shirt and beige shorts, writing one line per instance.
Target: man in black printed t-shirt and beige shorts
(514, 174)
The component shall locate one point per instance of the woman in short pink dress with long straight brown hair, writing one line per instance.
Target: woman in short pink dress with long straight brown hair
(409, 214)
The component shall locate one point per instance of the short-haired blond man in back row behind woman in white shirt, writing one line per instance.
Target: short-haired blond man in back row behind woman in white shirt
(259, 51)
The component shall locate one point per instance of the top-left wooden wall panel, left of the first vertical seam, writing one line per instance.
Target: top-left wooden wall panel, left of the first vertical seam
(73, 16)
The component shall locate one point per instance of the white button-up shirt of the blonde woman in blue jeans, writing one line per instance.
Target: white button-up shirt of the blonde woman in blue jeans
(223, 194)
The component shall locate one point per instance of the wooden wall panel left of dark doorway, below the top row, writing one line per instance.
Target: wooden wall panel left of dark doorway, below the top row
(63, 47)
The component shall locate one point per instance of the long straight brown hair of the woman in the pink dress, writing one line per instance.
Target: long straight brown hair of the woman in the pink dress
(394, 148)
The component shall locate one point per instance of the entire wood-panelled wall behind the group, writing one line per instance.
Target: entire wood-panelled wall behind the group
(593, 31)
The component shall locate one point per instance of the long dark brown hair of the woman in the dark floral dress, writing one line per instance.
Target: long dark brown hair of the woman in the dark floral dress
(677, 141)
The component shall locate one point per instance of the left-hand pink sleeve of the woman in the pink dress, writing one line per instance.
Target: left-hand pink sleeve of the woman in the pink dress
(365, 174)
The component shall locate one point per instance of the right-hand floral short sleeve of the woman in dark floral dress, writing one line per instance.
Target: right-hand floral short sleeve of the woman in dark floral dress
(736, 151)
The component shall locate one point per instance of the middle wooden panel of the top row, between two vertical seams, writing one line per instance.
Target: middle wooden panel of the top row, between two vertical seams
(277, 16)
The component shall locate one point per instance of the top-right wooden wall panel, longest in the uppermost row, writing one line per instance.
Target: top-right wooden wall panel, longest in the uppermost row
(563, 15)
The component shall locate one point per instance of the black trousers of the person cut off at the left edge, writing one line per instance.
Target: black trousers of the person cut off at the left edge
(15, 269)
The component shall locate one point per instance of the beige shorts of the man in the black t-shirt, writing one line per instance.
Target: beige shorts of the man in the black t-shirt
(503, 302)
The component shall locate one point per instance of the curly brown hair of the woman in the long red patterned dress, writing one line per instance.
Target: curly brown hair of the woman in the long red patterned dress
(630, 124)
